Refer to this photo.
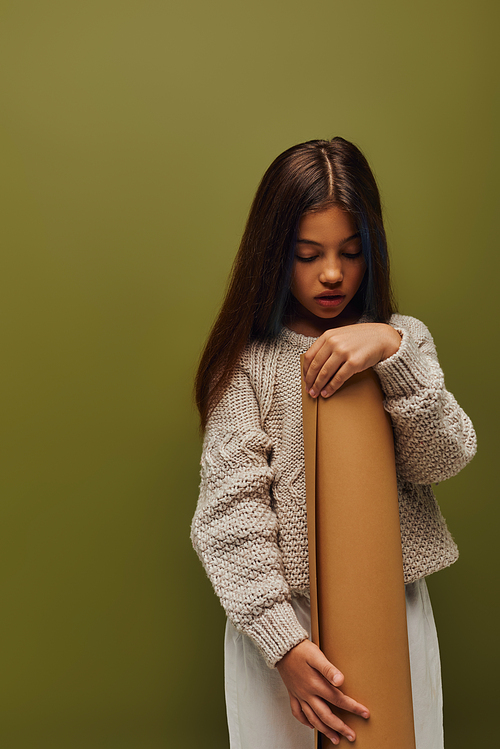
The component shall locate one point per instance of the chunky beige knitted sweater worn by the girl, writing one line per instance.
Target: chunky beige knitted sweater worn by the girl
(250, 525)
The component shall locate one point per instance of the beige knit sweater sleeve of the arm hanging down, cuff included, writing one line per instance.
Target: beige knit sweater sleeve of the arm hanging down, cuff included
(234, 529)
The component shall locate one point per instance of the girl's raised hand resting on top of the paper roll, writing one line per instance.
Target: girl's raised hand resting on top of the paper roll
(341, 352)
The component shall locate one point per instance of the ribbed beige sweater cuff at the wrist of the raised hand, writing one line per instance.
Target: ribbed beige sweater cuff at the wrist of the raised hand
(405, 372)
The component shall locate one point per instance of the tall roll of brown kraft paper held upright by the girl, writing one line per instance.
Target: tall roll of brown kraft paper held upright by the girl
(358, 610)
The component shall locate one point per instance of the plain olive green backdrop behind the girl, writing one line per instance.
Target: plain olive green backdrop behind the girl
(133, 136)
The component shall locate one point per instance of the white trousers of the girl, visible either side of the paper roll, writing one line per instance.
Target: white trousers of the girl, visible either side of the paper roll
(258, 706)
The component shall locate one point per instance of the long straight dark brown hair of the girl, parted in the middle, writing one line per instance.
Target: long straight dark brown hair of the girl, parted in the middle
(306, 177)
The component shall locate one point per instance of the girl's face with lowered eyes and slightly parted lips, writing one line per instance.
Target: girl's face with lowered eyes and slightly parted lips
(328, 270)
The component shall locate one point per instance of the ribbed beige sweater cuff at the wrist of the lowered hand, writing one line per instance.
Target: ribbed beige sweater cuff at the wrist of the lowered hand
(276, 632)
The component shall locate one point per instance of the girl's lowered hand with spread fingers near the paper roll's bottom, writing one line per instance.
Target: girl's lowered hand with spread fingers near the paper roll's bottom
(312, 682)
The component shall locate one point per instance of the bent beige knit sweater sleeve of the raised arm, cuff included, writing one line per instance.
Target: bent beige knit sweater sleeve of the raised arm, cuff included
(434, 438)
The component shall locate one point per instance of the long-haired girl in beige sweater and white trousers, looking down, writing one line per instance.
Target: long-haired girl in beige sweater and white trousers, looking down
(312, 275)
